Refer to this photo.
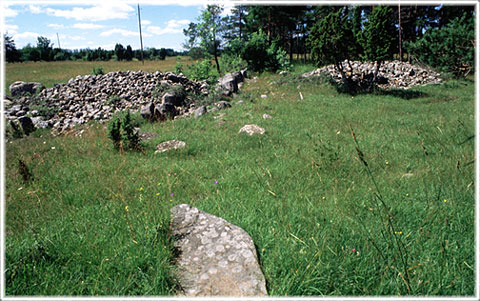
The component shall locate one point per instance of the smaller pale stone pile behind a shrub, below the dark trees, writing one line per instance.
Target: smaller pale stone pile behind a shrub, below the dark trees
(391, 75)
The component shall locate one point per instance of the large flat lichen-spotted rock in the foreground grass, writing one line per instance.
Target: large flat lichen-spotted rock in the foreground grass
(216, 257)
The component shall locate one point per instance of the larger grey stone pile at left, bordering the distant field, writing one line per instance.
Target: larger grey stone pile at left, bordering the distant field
(91, 97)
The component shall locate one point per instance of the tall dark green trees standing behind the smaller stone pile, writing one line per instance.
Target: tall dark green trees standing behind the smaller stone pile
(257, 34)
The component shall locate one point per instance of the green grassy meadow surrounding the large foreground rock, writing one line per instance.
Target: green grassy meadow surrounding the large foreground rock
(364, 195)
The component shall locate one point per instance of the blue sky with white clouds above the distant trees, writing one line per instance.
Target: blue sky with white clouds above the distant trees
(93, 24)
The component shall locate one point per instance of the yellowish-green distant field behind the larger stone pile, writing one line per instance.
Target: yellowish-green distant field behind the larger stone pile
(50, 73)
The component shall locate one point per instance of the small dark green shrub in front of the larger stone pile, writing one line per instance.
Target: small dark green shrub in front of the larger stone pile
(121, 129)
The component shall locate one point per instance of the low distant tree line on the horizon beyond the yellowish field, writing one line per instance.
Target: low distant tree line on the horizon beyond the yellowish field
(44, 51)
